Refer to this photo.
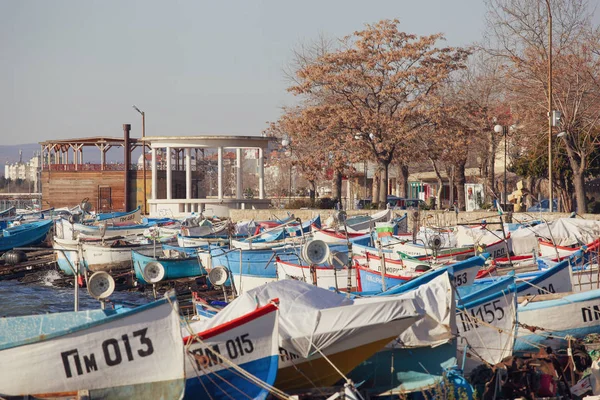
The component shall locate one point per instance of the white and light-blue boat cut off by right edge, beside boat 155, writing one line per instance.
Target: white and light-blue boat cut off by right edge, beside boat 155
(547, 319)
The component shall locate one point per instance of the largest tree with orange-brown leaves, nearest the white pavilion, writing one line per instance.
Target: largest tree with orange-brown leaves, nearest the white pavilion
(367, 96)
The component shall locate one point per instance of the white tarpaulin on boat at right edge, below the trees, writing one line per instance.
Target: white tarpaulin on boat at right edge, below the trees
(563, 232)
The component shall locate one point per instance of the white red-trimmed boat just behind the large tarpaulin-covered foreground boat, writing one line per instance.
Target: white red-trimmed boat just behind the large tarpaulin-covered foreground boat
(325, 277)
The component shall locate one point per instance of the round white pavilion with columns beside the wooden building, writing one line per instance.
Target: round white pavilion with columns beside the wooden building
(173, 154)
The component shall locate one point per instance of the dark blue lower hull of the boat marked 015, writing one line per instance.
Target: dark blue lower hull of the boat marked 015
(228, 384)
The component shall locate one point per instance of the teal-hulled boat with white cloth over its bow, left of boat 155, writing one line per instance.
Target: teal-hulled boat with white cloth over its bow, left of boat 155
(422, 356)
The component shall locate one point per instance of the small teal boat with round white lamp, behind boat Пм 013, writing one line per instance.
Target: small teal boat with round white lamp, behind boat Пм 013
(174, 264)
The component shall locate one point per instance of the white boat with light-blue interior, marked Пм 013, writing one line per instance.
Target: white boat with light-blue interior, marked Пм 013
(136, 354)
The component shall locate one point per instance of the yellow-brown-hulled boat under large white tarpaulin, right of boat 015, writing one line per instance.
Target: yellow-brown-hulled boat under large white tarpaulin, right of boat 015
(315, 323)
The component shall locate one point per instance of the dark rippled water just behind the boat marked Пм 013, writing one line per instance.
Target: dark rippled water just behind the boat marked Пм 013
(40, 298)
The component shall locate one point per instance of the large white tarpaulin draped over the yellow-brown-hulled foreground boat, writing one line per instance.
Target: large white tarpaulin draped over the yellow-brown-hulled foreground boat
(312, 318)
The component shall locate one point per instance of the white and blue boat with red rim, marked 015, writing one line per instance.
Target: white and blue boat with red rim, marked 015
(249, 343)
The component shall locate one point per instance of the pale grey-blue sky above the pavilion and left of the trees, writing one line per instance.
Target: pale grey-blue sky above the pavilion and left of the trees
(74, 69)
